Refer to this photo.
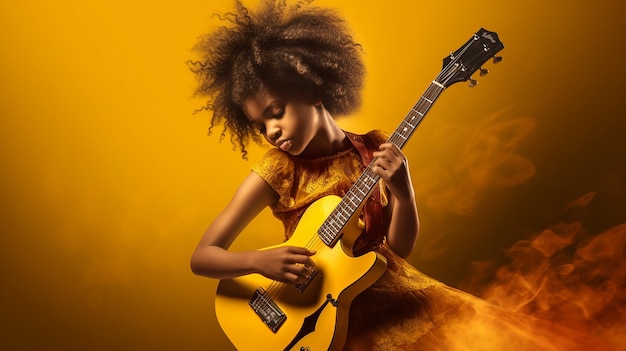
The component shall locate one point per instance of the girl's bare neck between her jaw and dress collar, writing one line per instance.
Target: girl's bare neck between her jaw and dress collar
(328, 140)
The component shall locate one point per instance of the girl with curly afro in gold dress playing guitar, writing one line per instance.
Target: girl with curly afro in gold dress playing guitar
(283, 74)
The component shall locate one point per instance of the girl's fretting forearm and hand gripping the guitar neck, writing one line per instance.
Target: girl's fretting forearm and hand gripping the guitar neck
(392, 166)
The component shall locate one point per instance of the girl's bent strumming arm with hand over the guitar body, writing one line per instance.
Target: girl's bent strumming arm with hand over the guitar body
(212, 258)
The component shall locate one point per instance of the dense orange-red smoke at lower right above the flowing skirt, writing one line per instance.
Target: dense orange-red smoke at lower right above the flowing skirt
(563, 275)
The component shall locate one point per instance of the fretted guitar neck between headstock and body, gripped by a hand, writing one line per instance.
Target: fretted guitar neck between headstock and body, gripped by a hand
(329, 232)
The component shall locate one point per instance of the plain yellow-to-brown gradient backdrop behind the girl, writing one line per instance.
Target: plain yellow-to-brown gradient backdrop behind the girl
(108, 179)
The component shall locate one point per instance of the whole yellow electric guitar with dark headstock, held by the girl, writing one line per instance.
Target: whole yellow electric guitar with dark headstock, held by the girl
(258, 313)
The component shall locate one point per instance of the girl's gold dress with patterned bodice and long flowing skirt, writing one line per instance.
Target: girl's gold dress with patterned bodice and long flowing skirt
(404, 309)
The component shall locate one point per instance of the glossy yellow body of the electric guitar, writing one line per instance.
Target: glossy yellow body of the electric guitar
(315, 319)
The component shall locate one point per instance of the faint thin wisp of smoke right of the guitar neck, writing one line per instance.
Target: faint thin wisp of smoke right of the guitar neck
(488, 159)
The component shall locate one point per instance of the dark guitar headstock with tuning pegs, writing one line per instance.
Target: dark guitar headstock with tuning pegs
(470, 57)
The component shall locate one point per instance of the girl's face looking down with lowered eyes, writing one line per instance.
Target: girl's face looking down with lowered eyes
(287, 121)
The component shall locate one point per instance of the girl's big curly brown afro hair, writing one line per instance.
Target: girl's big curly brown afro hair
(299, 48)
